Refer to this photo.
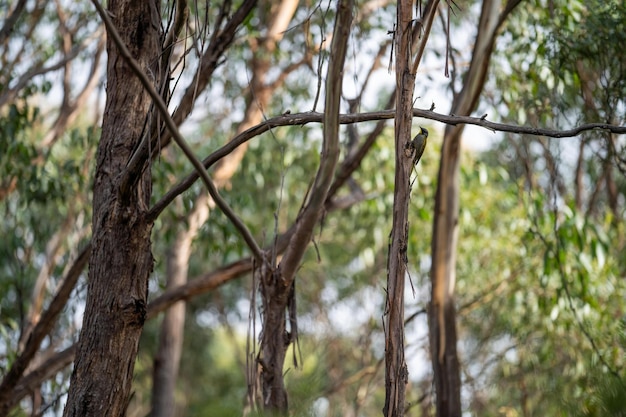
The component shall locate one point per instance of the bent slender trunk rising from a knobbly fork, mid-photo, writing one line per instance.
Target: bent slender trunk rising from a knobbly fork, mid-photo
(277, 285)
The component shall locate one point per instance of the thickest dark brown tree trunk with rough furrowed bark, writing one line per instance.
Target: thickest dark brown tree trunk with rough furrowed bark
(121, 260)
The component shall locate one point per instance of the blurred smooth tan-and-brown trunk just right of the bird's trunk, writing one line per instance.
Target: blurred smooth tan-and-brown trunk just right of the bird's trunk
(442, 317)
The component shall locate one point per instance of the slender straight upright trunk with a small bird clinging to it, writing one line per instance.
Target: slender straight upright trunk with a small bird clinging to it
(396, 373)
